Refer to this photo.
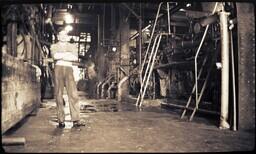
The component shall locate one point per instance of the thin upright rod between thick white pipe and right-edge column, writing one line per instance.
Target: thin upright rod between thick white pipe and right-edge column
(233, 82)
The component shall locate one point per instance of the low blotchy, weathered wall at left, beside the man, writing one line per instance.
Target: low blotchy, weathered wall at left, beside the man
(20, 93)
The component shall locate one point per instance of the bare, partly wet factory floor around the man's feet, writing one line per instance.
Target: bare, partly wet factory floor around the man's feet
(121, 127)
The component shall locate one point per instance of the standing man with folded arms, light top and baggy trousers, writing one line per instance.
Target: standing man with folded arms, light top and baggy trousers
(64, 53)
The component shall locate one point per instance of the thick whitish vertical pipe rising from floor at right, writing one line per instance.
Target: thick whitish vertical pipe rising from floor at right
(225, 69)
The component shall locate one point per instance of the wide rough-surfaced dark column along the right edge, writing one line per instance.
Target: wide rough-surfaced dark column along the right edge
(246, 65)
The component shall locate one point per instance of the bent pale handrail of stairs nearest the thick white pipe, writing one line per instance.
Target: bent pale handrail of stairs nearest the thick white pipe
(201, 43)
